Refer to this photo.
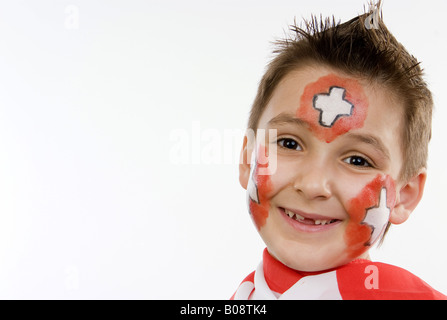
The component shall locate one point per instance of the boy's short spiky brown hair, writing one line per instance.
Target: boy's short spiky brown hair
(364, 48)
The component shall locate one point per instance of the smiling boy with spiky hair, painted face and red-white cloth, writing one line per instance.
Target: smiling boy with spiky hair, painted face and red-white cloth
(342, 120)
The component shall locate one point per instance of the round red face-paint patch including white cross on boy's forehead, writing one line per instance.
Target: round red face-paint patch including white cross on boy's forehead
(332, 106)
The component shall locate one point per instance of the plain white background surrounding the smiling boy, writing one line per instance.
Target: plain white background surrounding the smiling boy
(92, 202)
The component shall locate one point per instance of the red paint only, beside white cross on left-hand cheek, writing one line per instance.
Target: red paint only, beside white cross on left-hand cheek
(259, 212)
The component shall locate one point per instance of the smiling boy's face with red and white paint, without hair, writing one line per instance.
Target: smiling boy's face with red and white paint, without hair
(327, 192)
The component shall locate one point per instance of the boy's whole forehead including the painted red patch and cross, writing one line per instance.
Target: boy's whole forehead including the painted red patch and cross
(305, 94)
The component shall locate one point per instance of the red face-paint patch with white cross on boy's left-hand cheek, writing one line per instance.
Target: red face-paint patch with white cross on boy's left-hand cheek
(259, 187)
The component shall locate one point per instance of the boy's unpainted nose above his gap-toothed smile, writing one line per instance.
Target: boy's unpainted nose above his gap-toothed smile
(314, 181)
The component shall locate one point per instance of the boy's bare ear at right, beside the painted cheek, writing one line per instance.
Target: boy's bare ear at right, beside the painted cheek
(408, 197)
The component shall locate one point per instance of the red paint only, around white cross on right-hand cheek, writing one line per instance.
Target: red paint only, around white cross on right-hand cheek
(358, 234)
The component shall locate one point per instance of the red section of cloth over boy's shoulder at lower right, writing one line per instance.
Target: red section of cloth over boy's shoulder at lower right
(363, 279)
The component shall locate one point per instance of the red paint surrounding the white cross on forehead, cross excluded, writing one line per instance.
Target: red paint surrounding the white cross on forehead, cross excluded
(354, 94)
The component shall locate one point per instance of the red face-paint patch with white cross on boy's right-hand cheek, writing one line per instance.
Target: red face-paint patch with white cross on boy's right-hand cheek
(369, 214)
